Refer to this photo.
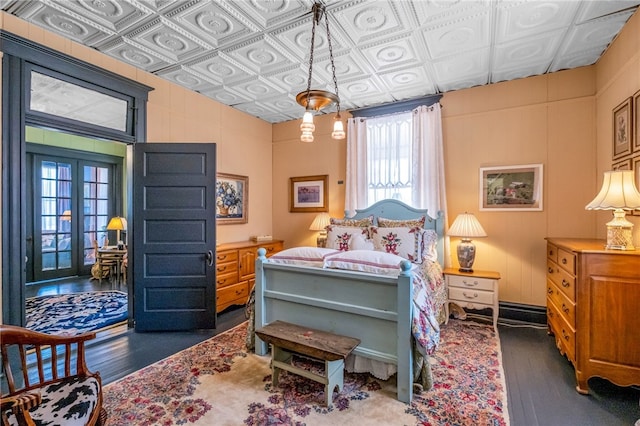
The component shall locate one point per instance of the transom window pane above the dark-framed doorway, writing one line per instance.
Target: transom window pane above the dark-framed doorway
(57, 97)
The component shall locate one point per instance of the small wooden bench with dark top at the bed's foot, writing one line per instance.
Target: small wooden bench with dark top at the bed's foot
(286, 338)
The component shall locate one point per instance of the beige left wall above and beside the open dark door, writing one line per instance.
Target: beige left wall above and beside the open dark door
(178, 115)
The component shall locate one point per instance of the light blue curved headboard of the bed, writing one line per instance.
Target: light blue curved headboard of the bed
(395, 209)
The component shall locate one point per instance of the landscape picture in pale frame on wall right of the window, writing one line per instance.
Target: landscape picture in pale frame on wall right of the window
(511, 188)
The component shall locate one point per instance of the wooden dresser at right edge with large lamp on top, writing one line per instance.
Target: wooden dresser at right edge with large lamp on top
(593, 309)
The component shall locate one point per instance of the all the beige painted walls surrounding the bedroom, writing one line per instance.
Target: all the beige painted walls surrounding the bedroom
(561, 120)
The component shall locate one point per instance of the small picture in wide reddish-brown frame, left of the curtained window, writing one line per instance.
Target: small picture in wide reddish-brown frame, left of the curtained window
(308, 194)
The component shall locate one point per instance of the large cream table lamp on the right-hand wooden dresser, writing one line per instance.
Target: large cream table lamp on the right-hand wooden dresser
(618, 193)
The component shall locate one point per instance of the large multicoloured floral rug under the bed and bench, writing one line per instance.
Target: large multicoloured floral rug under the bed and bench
(218, 383)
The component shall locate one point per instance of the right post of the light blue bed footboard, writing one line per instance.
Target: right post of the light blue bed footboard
(404, 343)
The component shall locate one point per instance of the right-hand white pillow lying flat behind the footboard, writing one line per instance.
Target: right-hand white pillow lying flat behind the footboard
(373, 262)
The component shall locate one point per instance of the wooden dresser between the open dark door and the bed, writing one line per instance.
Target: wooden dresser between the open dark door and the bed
(235, 270)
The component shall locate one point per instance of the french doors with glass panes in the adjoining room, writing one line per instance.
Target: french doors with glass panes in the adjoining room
(73, 200)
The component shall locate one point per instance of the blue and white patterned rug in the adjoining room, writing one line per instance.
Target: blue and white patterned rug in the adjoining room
(77, 313)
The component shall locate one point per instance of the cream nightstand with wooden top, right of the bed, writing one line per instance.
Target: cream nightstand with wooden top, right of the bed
(473, 290)
